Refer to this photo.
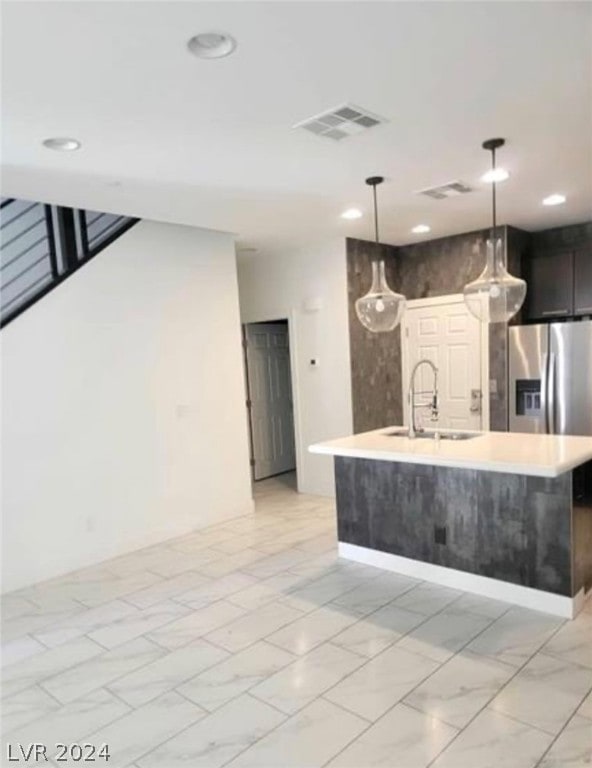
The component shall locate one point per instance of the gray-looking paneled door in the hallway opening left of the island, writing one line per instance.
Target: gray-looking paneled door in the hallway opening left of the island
(270, 399)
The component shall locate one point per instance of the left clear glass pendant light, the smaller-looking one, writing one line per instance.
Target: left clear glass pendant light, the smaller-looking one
(381, 309)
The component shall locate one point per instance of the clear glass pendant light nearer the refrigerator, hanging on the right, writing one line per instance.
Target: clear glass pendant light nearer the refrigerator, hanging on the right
(496, 295)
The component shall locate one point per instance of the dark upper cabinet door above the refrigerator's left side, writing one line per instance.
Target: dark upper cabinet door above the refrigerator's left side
(551, 284)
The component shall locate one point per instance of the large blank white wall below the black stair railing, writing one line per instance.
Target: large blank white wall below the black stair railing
(123, 405)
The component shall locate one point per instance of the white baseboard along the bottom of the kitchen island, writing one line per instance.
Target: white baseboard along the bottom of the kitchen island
(527, 597)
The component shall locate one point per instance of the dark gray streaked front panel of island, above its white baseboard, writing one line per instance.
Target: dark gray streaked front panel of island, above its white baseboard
(509, 527)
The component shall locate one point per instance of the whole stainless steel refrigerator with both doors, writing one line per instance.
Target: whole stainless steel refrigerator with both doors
(550, 378)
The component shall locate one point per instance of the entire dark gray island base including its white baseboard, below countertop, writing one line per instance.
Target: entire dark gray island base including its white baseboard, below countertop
(532, 535)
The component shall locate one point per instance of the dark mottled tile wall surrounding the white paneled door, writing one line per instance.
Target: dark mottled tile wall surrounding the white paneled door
(433, 268)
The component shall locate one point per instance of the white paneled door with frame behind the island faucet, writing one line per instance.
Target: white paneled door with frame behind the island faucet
(444, 331)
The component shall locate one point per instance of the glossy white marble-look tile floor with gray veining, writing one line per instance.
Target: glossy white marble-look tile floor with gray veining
(251, 644)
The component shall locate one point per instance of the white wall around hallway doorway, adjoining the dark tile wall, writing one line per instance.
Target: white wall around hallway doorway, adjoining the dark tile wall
(283, 285)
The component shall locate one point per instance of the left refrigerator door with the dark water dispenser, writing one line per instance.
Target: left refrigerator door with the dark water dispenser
(528, 363)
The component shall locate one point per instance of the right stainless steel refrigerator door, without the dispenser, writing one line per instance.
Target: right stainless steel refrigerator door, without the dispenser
(570, 378)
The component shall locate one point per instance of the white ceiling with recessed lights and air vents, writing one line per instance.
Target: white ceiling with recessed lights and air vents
(211, 143)
